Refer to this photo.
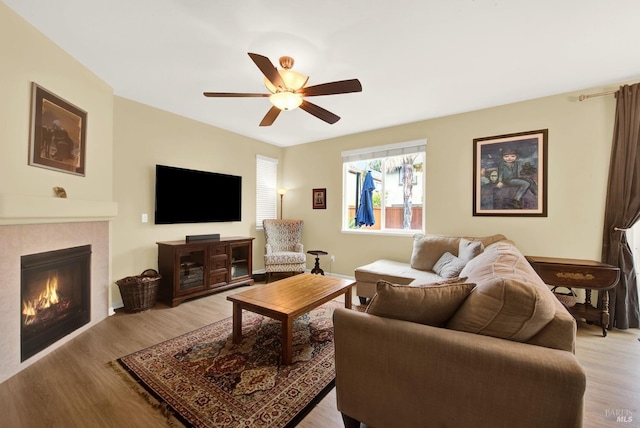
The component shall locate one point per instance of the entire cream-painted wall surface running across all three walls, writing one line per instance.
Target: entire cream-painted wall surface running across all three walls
(125, 140)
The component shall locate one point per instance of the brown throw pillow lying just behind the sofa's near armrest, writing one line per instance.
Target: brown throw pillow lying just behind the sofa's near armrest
(430, 304)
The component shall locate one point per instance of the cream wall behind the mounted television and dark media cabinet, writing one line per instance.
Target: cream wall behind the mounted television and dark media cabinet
(145, 136)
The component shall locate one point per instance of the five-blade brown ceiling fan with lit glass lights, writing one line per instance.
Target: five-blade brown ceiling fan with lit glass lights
(287, 90)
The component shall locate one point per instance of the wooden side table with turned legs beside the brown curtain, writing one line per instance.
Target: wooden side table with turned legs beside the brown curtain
(584, 274)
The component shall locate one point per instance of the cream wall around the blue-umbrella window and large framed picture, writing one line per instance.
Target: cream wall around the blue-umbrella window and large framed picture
(580, 135)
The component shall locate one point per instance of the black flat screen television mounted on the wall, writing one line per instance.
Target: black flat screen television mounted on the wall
(191, 196)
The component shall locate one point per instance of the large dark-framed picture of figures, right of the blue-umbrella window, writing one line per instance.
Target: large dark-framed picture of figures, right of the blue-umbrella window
(510, 175)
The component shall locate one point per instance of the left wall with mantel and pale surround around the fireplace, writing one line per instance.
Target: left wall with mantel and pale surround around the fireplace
(26, 195)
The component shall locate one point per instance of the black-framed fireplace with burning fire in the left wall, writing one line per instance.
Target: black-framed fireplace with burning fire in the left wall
(55, 289)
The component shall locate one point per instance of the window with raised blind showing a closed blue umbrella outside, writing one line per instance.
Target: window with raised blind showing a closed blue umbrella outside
(397, 172)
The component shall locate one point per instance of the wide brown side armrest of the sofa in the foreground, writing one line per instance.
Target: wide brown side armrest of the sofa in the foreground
(392, 373)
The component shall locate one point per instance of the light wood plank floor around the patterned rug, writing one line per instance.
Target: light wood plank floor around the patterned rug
(74, 386)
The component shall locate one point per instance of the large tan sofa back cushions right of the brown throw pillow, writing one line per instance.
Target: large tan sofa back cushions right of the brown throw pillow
(510, 300)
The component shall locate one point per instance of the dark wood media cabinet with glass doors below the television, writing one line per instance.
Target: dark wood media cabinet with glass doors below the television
(199, 268)
